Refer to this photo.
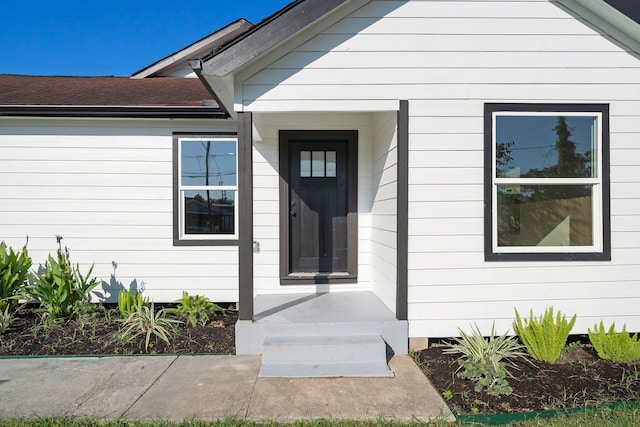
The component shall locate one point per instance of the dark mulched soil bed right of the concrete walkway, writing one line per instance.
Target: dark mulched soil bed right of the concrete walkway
(579, 378)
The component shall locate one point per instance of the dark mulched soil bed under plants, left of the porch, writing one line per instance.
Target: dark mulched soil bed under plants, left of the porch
(98, 333)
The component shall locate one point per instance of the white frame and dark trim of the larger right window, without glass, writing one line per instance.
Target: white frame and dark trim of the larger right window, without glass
(600, 249)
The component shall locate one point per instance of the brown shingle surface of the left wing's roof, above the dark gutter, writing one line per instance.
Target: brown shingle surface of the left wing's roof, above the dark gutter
(21, 90)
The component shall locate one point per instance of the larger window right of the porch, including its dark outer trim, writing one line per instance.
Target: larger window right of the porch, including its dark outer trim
(546, 182)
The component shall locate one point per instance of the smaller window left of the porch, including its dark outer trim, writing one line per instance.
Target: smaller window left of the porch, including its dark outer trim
(206, 187)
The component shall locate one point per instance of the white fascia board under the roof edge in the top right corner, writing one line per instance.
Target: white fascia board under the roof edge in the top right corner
(613, 22)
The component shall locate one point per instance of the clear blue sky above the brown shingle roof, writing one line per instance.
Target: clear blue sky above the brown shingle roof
(110, 38)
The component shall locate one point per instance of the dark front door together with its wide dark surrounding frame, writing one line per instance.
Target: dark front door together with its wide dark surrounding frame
(320, 203)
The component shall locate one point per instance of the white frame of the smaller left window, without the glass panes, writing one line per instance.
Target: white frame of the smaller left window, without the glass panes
(181, 189)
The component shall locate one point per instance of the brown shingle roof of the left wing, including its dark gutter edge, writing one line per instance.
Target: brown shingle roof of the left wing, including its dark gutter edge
(105, 96)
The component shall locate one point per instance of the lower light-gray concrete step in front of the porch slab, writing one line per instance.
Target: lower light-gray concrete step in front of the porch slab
(324, 356)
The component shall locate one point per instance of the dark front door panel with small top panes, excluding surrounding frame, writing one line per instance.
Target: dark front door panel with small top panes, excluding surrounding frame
(318, 206)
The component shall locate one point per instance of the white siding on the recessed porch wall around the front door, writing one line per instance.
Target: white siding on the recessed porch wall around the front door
(266, 194)
